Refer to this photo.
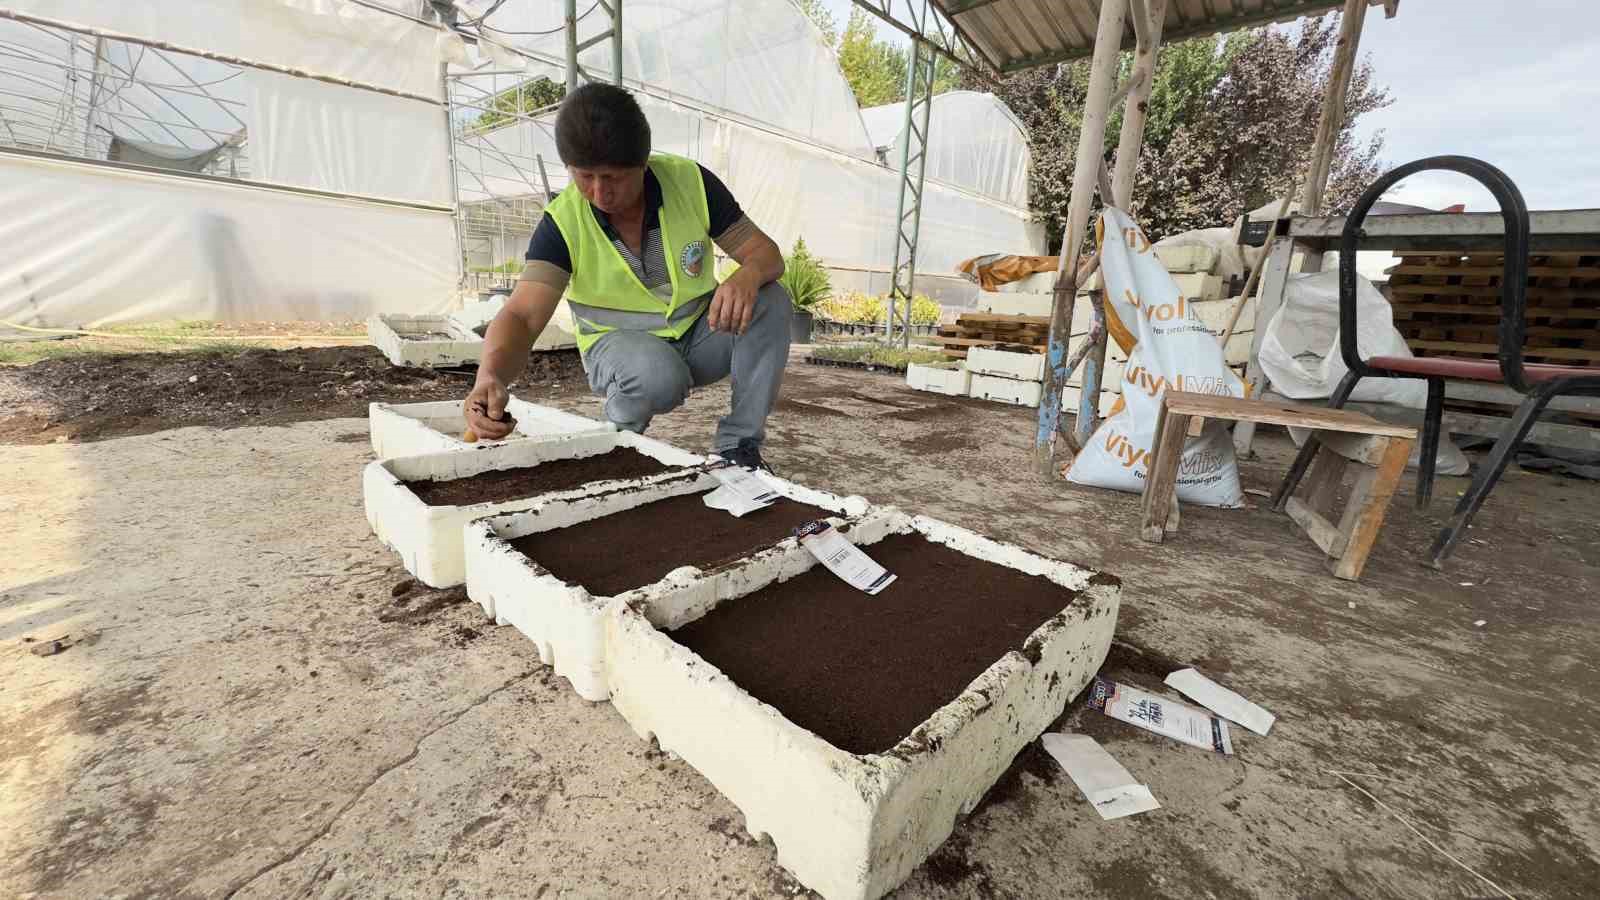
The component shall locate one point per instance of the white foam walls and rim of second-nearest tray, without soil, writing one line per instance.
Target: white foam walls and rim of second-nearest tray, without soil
(566, 622)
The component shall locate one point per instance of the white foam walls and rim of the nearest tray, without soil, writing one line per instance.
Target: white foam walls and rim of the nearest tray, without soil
(852, 827)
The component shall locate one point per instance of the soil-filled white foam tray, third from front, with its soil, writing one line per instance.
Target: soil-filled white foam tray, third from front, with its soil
(428, 536)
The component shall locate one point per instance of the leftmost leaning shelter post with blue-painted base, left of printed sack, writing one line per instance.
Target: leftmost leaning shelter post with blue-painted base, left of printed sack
(1090, 161)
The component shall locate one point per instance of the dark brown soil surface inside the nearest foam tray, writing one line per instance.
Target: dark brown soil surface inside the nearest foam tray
(863, 672)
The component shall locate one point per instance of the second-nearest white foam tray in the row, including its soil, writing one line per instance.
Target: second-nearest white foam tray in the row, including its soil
(551, 573)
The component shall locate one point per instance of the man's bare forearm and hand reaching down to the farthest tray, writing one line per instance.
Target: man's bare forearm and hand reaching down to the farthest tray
(506, 347)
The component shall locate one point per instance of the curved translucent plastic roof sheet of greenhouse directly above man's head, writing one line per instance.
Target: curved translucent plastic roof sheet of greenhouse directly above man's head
(758, 60)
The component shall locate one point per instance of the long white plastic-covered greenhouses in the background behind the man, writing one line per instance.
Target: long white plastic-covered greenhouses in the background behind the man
(332, 159)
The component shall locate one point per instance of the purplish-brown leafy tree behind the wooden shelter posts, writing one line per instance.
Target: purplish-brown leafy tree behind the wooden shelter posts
(1231, 124)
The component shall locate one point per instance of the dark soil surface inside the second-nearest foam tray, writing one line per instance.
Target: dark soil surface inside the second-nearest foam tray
(630, 550)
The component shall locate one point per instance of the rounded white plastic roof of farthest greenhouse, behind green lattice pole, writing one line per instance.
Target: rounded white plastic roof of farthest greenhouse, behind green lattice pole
(975, 142)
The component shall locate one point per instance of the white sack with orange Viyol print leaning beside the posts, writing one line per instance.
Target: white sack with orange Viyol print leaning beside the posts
(1167, 345)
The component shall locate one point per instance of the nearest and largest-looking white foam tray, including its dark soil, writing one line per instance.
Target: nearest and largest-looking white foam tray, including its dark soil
(852, 822)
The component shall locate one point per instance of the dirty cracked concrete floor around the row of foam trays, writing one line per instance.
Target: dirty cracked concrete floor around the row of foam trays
(258, 717)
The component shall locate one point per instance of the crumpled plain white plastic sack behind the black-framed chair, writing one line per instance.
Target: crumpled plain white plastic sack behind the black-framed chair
(1300, 350)
